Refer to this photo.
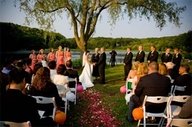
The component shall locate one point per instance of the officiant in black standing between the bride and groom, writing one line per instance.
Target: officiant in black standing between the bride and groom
(95, 59)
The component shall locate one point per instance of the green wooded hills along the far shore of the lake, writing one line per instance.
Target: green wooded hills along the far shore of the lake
(15, 37)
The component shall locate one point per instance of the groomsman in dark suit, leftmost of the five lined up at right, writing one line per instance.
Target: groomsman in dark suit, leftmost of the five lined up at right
(127, 62)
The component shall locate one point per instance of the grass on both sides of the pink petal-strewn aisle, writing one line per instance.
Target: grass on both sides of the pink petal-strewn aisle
(111, 98)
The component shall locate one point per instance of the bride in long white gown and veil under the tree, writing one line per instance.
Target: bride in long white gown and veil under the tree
(86, 76)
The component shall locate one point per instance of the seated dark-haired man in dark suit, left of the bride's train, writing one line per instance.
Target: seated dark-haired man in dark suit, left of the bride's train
(71, 73)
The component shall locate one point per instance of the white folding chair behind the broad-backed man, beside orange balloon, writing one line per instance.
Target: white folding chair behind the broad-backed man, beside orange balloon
(154, 100)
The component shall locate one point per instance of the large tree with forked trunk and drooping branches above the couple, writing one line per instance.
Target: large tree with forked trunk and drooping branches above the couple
(84, 14)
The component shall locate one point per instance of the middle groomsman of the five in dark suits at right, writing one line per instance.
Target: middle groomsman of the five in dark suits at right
(153, 55)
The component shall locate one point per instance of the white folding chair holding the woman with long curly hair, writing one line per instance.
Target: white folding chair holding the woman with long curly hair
(46, 100)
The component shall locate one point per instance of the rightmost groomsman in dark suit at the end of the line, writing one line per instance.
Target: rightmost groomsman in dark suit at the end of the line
(177, 57)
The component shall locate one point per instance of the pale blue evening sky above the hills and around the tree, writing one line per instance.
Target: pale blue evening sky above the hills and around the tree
(135, 28)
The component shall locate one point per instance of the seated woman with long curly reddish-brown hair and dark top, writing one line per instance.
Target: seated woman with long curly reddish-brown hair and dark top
(43, 86)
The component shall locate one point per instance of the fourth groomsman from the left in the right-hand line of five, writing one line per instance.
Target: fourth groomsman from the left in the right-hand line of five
(166, 56)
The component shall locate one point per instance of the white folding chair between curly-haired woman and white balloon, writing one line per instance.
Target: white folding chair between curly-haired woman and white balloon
(60, 89)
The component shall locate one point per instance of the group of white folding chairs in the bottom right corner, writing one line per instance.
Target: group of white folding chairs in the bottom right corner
(169, 113)
